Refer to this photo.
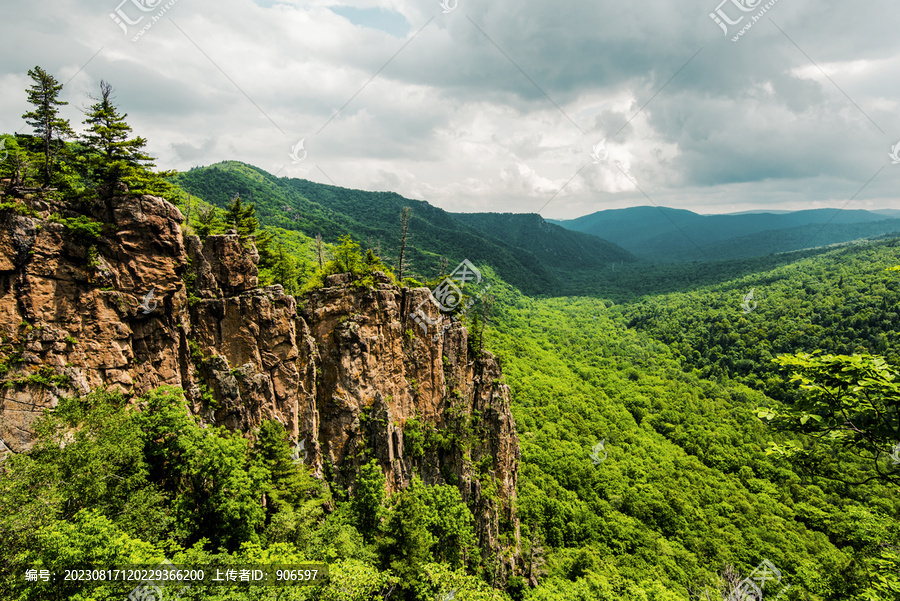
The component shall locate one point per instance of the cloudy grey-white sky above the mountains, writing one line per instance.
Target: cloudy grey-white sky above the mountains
(559, 107)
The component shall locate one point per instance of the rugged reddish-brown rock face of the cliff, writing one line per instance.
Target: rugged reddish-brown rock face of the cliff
(348, 373)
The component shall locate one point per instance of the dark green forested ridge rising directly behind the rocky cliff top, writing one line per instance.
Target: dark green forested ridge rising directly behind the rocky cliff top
(543, 265)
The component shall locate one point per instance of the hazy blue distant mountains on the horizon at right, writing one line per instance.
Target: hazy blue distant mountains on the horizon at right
(666, 234)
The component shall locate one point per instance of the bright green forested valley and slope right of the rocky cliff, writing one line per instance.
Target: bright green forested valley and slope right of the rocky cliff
(687, 480)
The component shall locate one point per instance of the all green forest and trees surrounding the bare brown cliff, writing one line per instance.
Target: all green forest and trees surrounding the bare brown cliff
(673, 436)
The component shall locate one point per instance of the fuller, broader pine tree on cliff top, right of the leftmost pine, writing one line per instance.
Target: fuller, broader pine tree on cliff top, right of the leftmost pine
(113, 157)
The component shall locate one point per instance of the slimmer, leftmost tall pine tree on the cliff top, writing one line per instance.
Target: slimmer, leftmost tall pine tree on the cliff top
(45, 119)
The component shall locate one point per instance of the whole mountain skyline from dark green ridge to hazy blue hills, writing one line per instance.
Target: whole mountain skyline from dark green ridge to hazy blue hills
(537, 256)
